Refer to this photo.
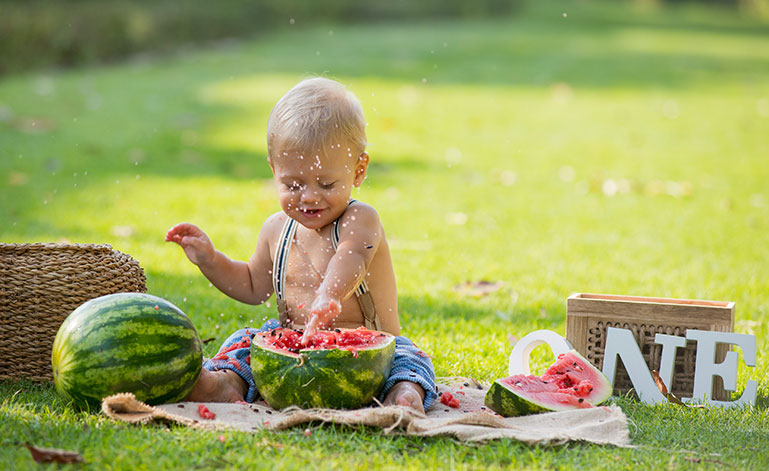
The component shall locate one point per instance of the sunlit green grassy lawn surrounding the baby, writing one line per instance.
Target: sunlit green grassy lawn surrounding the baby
(575, 147)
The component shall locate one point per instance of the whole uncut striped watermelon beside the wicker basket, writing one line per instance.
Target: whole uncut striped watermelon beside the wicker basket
(126, 342)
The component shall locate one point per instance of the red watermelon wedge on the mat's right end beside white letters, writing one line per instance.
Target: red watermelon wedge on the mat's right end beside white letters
(571, 382)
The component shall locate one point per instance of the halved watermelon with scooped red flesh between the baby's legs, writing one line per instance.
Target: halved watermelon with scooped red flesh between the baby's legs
(339, 369)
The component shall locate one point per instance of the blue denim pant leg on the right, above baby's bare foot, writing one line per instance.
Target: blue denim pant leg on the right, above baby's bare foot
(411, 364)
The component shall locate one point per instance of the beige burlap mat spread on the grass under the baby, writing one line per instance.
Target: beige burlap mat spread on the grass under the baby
(471, 422)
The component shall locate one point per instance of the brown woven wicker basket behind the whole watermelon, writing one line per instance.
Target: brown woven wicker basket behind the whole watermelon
(40, 284)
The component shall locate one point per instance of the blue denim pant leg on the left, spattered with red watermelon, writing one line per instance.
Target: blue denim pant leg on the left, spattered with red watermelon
(235, 355)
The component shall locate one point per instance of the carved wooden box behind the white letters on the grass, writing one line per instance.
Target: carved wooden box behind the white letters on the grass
(589, 315)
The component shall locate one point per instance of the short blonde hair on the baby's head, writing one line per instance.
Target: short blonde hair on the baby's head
(314, 115)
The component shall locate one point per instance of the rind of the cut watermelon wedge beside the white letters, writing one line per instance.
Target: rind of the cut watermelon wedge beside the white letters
(506, 401)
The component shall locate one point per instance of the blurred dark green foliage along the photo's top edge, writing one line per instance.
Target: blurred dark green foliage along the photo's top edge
(64, 33)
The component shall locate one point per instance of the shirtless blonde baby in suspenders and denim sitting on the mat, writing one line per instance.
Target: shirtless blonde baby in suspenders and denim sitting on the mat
(324, 255)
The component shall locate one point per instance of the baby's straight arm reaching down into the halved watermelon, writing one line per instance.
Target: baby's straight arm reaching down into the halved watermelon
(360, 232)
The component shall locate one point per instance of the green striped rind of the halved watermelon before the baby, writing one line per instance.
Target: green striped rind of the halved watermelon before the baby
(333, 378)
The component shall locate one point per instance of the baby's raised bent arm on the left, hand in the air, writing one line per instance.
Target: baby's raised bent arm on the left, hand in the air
(250, 282)
